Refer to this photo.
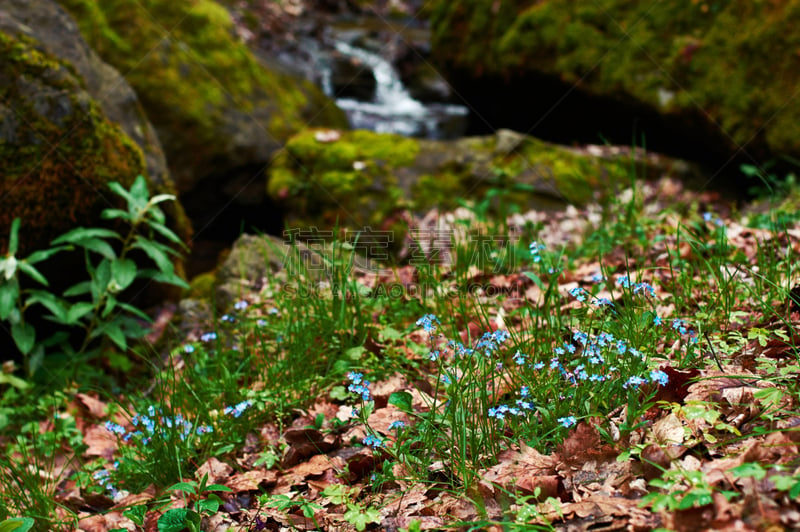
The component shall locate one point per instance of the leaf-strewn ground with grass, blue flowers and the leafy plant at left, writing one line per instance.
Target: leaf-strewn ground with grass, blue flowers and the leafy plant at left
(636, 358)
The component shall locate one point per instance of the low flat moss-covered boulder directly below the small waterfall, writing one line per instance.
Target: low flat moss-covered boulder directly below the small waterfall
(361, 178)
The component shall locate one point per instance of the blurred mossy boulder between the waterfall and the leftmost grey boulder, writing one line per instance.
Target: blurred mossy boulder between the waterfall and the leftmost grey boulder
(217, 109)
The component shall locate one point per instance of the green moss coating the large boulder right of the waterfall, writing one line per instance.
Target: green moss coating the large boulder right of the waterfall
(731, 65)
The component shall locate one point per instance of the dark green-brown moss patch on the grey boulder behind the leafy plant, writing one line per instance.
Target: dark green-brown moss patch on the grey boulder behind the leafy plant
(60, 150)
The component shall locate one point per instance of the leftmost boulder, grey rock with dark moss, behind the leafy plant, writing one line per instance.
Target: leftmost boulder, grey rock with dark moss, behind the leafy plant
(59, 146)
